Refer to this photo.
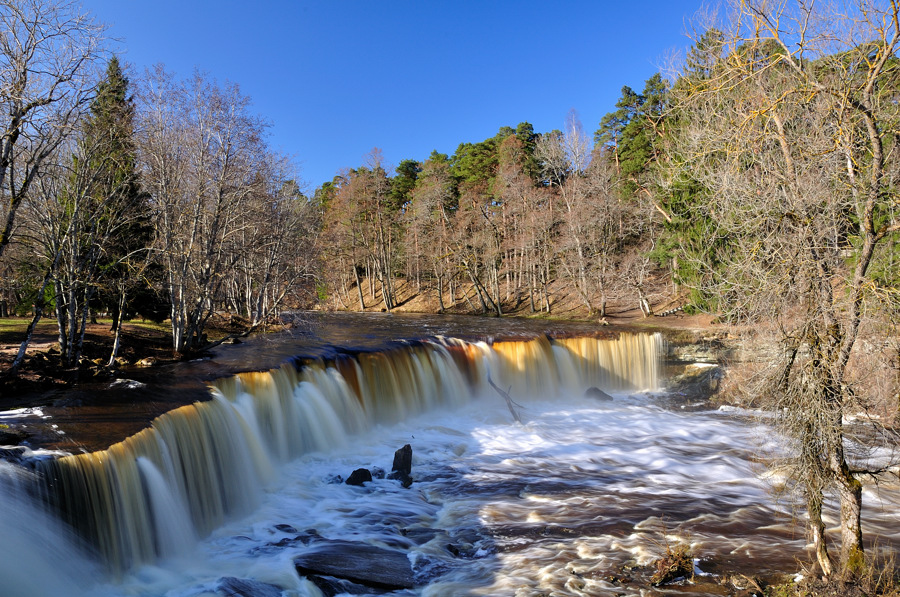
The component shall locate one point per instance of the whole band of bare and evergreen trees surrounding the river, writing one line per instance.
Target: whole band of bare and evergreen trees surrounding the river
(759, 181)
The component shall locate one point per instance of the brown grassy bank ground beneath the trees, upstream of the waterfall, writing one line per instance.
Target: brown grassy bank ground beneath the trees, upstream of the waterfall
(42, 376)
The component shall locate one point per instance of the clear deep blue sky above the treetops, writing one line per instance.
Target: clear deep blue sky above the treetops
(336, 78)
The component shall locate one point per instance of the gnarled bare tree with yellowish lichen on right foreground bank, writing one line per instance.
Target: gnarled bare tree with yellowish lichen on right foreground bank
(793, 130)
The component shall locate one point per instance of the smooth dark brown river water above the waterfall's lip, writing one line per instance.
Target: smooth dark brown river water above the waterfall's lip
(98, 414)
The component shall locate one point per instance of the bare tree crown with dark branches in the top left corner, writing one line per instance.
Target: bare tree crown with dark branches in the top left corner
(48, 54)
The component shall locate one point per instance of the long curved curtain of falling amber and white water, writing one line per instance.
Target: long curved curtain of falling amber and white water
(146, 497)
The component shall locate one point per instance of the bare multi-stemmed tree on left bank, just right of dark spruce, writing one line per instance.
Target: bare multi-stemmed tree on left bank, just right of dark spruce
(202, 152)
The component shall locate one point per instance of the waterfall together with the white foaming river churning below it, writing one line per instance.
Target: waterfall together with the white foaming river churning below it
(564, 503)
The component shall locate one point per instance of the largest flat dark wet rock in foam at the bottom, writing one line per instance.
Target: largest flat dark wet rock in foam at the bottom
(359, 563)
